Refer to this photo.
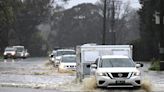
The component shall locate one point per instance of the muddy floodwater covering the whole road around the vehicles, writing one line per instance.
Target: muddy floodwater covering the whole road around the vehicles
(37, 74)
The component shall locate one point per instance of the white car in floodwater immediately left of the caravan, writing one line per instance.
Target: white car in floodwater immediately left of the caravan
(67, 62)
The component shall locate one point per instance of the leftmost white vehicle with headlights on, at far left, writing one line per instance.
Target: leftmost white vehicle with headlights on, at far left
(9, 52)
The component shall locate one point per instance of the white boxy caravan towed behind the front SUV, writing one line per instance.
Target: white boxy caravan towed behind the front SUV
(87, 54)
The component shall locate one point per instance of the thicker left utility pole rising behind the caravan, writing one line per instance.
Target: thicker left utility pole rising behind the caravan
(104, 24)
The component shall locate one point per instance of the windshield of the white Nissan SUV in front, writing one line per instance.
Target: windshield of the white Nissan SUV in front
(116, 62)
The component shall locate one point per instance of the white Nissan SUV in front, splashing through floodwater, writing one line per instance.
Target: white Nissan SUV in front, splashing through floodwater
(116, 71)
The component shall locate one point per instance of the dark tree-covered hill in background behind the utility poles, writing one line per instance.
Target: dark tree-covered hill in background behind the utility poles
(83, 24)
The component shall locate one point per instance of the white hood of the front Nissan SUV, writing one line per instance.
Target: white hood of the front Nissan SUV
(118, 69)
